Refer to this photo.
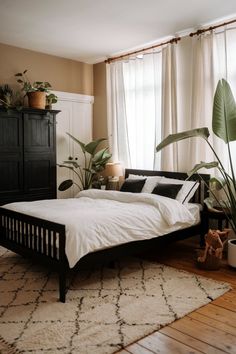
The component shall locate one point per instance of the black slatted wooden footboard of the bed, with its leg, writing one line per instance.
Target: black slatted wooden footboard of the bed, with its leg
(37, 238)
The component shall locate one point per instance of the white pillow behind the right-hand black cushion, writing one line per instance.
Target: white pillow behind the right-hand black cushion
(186, 192)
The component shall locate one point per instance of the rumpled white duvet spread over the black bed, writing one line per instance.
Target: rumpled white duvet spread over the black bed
(99, 219)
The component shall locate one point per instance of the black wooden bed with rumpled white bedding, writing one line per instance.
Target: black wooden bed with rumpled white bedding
(45, 239)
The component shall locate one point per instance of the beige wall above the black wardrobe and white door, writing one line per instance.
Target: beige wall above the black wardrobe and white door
(63, 74)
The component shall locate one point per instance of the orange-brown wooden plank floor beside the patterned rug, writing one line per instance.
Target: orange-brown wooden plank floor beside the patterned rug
(210, 329)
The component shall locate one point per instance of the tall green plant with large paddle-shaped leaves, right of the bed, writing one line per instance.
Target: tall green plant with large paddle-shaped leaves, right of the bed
(224, 126)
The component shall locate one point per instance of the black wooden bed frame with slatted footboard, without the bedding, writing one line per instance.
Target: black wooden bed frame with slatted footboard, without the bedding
(44, 241)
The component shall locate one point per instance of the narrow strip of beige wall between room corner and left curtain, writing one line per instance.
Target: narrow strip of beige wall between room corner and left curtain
(100, 102)
